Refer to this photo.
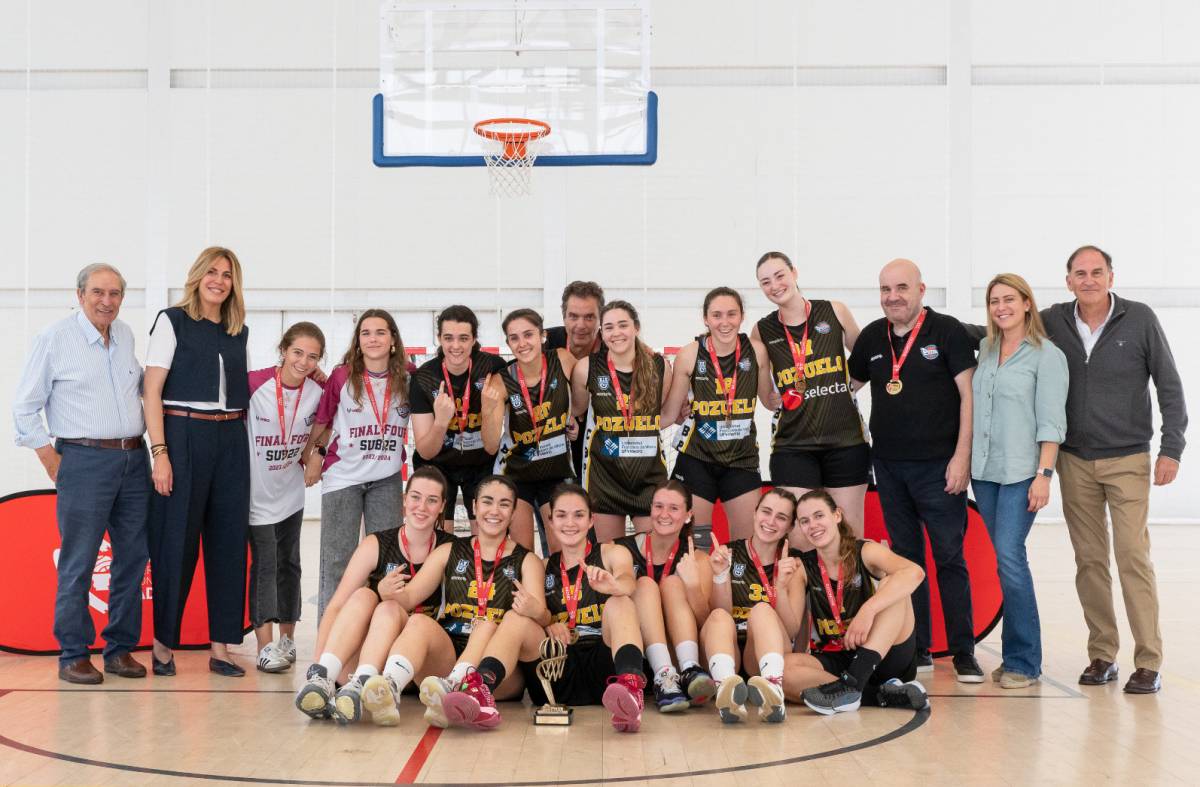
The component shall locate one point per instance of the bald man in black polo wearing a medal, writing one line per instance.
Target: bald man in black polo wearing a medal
(920, 367)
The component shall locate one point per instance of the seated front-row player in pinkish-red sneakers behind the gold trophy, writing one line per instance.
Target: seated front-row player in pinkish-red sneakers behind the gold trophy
(591, 612)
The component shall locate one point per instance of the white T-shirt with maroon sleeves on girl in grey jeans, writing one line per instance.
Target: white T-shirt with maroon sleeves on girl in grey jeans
(358, 453)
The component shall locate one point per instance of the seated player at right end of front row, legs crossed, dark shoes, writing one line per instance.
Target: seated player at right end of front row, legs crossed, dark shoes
(861, 598)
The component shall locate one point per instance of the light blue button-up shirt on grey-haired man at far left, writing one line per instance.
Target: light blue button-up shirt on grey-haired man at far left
(87, 391)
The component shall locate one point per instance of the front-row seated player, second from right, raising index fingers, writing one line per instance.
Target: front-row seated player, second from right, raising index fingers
(758, 609)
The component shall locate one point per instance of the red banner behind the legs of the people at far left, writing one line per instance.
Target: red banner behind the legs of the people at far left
(29, 579)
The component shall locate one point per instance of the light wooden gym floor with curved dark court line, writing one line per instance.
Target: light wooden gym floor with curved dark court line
(200, 729)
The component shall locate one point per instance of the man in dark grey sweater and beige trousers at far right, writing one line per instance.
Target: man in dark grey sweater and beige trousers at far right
(1114, 349)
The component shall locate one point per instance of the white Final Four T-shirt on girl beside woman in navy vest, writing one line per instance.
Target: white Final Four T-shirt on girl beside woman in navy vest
(277, 477)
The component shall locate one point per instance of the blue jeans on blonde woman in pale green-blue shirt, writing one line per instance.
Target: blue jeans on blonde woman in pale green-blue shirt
(1005, 509)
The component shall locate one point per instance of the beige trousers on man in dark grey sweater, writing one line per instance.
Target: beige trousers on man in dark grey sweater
(1121, 484)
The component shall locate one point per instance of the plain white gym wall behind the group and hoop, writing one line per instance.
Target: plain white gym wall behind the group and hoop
(973, 137)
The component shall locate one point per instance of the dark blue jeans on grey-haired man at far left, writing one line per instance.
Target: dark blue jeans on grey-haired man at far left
(101, 490)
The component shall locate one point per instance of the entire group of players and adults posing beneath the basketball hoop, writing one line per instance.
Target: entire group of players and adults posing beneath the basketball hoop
(585, 540)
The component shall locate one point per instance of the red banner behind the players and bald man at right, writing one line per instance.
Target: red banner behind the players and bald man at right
(981, 557)
